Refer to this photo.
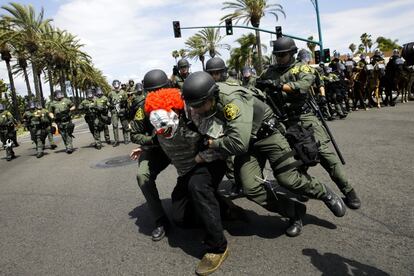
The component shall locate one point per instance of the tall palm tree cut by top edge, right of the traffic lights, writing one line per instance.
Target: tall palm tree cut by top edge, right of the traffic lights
(251, 11)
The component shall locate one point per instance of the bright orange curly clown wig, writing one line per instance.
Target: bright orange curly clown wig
(164, 98)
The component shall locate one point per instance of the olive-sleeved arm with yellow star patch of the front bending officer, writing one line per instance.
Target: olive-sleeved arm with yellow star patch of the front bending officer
(237, 129)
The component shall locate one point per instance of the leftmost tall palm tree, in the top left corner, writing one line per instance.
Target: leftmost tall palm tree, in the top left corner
(24, 20)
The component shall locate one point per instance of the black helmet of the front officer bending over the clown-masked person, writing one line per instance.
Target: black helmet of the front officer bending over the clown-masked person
(198, 87)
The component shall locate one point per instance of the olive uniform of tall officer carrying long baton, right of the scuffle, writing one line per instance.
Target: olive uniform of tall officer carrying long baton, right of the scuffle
(300, 78)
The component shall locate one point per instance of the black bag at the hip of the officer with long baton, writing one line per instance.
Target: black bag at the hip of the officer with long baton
(302, 141)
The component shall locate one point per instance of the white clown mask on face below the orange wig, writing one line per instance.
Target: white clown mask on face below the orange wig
(164, 122)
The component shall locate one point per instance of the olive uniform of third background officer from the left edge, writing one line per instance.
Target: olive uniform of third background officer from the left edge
(62, 117)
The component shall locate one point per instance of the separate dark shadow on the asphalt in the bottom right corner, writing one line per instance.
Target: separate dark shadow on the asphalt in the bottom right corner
(333, 264)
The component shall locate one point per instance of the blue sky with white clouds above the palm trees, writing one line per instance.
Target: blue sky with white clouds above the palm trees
(127, 38)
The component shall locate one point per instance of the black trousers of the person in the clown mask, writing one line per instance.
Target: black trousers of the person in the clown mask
(194, 200)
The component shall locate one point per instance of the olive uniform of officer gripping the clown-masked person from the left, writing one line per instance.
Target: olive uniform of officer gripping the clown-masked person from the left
(151, 162)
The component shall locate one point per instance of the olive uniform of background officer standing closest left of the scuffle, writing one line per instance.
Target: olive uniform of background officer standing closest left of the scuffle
(118, 104)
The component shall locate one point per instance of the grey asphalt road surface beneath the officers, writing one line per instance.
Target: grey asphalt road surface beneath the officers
(82, 214)
